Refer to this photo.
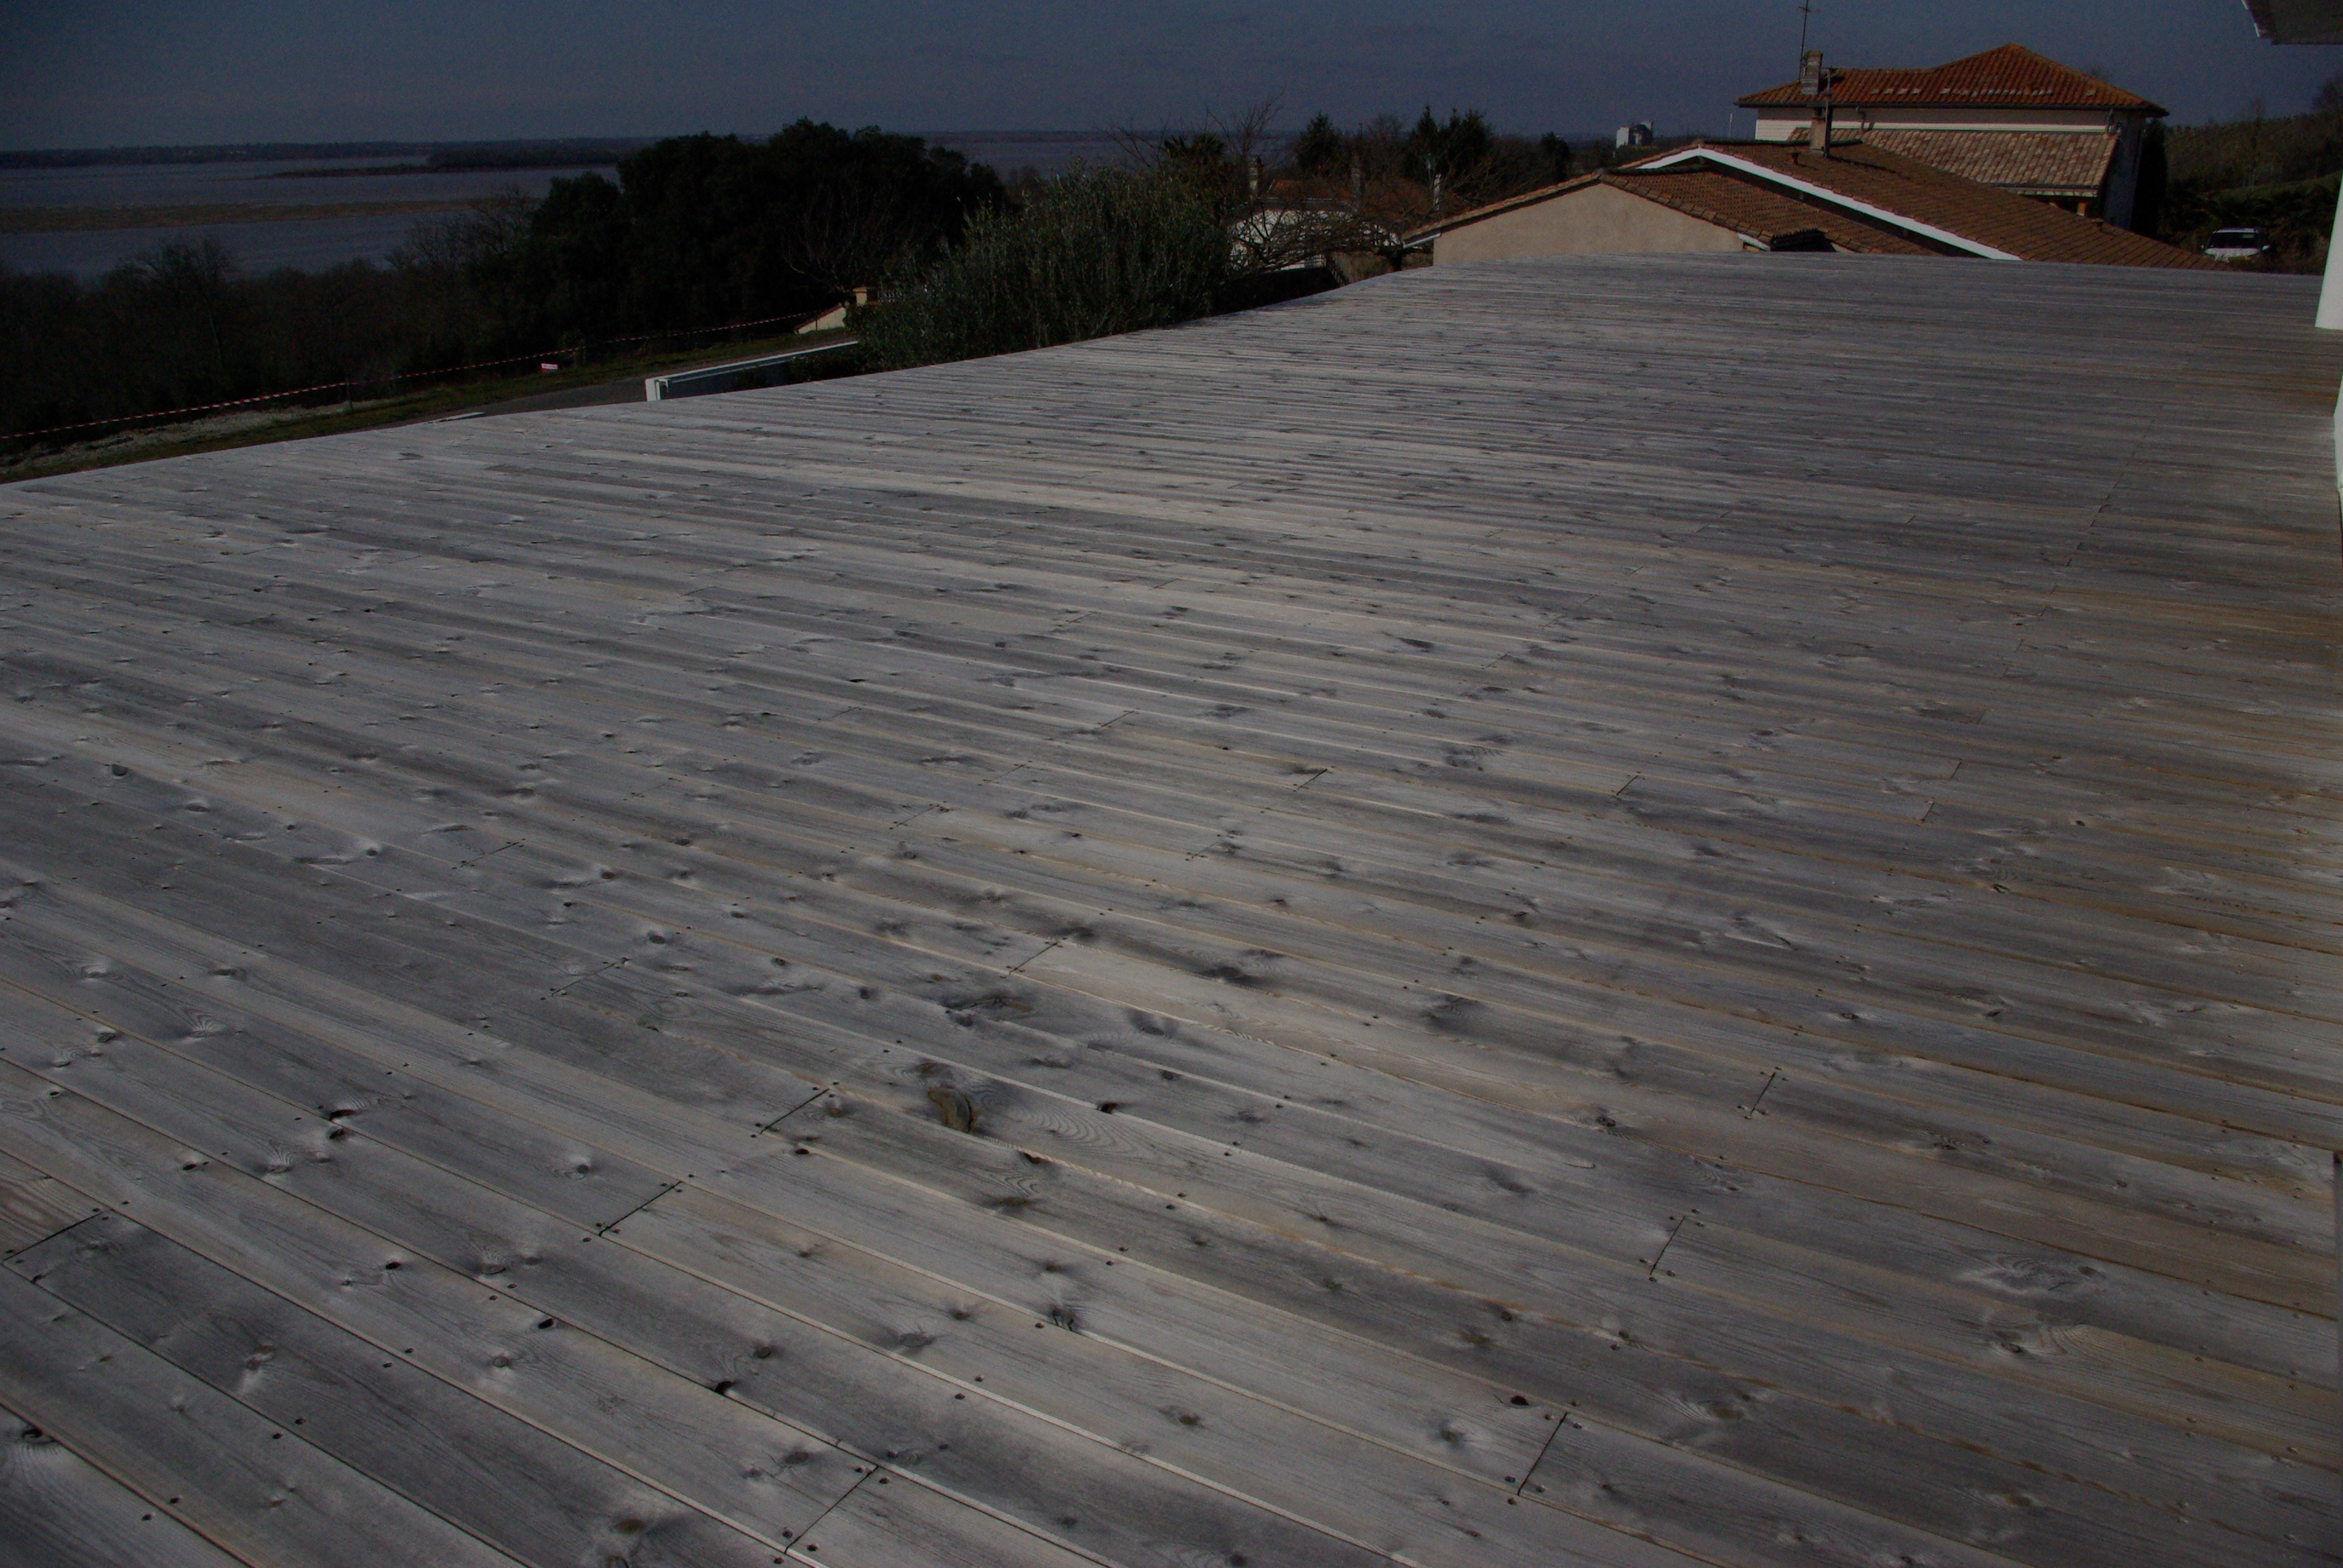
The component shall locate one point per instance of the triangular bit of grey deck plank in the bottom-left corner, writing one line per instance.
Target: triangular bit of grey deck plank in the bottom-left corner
(57, 1511)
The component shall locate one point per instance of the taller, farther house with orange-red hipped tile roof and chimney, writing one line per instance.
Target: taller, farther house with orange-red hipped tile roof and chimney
(2004, 118)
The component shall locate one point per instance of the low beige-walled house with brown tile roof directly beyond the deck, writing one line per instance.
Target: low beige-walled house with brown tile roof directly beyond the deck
(1789, 198)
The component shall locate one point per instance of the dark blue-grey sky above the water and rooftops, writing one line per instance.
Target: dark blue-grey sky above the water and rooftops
(179, 71)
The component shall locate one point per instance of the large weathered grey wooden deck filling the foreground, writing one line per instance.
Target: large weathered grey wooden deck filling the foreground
(1623, 913)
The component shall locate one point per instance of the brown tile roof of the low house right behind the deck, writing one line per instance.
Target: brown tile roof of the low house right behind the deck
(1749, 189)
